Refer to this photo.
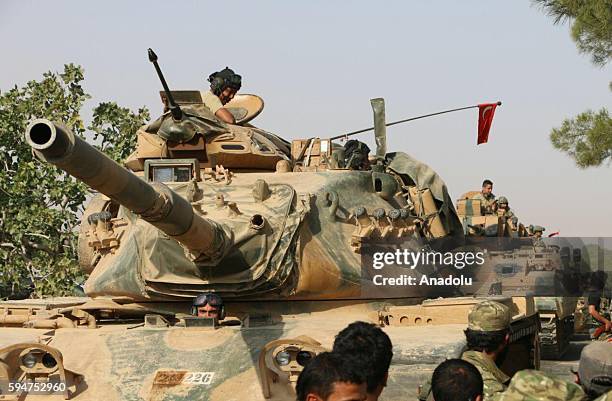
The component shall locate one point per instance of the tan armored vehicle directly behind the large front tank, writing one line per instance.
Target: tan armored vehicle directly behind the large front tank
(525, 265)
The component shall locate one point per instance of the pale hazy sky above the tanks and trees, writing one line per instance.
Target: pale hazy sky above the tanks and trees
(317, 64)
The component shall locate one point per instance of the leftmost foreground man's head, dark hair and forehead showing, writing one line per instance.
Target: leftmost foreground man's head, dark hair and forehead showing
(331, 377)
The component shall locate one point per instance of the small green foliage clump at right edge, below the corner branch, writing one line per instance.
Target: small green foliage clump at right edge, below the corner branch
(587, 138)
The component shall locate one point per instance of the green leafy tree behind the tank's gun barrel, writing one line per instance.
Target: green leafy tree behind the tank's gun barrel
(39, 204)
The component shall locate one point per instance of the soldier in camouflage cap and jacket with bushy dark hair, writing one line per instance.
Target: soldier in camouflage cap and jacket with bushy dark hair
(487, 337)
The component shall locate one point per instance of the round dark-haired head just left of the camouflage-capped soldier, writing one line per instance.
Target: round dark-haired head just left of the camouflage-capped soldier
(456, 379)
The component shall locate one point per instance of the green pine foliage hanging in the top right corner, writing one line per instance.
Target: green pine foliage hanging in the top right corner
(591, 24)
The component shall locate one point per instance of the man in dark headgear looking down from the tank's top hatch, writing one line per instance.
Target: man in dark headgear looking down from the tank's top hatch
(224, 85)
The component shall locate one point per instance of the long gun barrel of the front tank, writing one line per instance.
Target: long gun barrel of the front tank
(154, 202)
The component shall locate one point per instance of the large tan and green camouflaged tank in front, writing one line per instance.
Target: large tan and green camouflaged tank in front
(277, 229)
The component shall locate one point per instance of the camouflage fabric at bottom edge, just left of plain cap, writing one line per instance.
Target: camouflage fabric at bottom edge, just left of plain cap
(535, 385)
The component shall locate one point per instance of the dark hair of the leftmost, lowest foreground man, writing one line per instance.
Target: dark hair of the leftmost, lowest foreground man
(323, 371)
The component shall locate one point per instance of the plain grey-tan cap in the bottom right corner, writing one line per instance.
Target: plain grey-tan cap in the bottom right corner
(595, 367)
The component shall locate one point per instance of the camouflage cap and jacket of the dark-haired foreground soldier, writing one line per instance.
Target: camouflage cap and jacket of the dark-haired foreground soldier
(488, 316)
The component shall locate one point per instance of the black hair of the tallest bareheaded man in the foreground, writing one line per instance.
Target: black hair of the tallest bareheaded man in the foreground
(371, 346)
